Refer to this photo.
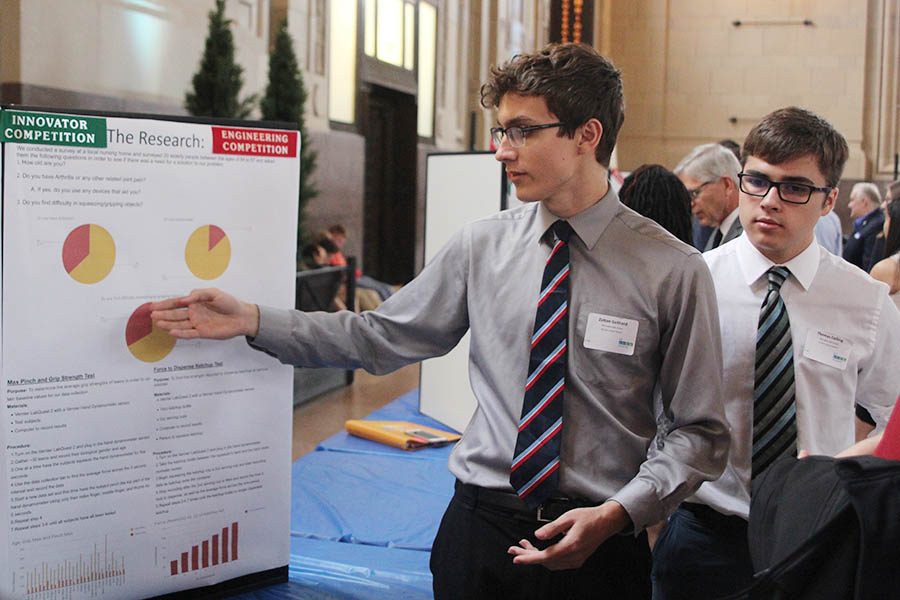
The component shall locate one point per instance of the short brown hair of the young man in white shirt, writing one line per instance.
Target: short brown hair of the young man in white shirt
(791, 133)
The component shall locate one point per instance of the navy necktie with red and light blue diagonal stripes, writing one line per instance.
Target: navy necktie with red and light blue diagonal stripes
(534, 473)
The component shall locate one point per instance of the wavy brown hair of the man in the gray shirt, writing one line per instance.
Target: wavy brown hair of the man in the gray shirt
(576, 82)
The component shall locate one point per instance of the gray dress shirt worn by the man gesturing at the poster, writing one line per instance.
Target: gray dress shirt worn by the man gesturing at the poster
(487, 280)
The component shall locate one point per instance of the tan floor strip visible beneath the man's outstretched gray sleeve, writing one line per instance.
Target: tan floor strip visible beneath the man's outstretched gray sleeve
(324, 416)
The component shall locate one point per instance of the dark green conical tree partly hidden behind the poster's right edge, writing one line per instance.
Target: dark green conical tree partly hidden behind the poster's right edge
(284, 100)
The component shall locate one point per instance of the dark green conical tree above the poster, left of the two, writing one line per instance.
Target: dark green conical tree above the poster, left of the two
(218, 82)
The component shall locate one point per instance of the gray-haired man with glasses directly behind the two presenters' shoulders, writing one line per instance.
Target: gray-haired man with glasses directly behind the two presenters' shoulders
(709, 173)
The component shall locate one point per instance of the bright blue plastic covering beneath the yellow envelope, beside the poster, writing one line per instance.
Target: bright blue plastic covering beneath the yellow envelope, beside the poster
(363, 516)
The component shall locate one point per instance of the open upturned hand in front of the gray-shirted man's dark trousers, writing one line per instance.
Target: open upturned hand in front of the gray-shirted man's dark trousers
(582, 530)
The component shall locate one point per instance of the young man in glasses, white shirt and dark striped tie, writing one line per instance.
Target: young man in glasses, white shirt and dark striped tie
(839, 345)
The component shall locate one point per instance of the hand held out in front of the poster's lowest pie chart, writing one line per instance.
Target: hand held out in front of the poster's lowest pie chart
(206, 313)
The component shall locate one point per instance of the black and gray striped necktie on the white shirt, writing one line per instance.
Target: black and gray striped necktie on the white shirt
(774, 411)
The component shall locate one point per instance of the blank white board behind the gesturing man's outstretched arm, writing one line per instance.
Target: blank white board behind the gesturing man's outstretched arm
(459, 188)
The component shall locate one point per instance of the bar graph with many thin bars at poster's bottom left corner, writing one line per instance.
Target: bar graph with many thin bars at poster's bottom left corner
(90, 574)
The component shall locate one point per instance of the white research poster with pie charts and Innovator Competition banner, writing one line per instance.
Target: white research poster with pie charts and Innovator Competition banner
(134, 465)
